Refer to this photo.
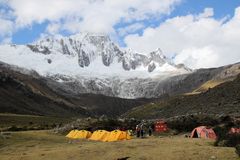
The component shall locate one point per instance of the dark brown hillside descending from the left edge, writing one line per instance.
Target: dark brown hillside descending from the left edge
(24, 94)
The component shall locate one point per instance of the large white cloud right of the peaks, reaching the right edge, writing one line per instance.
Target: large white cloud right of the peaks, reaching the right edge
(198, 40)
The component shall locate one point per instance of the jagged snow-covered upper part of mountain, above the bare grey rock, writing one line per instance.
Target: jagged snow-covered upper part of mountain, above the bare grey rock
(89, 54)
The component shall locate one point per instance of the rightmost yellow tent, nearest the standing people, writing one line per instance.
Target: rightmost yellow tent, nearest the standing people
(117, 135)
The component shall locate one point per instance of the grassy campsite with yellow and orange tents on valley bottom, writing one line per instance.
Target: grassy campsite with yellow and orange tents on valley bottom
(70, 141)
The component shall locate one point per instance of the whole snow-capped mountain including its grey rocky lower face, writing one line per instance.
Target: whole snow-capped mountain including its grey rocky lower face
(92, 63)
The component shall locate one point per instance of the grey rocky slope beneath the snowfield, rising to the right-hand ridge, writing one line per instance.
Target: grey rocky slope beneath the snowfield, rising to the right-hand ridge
(194, 82)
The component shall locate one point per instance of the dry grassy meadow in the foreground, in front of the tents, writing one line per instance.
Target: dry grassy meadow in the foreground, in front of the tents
(38, 145)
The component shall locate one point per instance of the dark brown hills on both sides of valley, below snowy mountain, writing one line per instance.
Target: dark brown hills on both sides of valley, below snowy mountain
(24, 91)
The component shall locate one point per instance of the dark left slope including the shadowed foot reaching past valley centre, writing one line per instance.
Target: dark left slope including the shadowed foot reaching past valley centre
(25, 92)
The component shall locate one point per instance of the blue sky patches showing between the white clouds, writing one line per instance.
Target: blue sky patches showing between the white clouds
(221, 8)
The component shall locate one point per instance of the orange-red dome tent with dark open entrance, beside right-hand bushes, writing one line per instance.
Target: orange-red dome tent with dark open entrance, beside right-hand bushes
(203, 132)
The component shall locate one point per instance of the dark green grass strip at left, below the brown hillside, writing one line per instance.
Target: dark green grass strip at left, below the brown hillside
(16, 122)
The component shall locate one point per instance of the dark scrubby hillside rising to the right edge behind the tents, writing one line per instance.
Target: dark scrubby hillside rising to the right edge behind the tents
(221, 100)
